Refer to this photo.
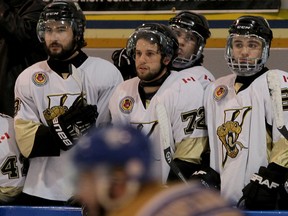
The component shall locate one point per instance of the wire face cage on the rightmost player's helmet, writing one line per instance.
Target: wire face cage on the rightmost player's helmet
(250, 66)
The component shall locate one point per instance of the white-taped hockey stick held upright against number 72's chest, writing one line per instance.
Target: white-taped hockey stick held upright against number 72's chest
(164, 126)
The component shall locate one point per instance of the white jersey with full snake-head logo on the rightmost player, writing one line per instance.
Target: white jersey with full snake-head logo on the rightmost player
(237, 128)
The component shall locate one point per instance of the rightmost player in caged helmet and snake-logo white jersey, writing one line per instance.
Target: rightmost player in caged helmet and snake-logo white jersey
(246, 148)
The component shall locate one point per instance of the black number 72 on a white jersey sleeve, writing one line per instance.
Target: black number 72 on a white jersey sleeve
(195, 119)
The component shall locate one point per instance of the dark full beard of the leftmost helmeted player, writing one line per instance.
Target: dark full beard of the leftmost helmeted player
(65, 52)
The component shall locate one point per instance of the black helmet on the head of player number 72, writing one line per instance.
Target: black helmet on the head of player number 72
(168, 47)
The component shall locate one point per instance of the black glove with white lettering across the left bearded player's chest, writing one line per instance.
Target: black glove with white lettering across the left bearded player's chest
(74, 123)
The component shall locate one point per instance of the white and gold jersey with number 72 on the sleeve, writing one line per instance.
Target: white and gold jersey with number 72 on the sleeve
(182, 96)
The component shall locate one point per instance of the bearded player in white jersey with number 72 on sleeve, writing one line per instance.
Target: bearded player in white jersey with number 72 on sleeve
(137, 101)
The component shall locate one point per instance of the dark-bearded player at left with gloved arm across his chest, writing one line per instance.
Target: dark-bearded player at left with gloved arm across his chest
(58, 100)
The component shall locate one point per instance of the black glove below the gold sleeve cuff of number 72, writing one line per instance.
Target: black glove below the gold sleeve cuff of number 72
(207, 177)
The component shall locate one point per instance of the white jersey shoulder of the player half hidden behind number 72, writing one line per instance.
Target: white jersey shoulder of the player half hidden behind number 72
(200, 73)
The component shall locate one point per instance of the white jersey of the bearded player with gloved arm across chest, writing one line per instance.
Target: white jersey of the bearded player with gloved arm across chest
(41, 94)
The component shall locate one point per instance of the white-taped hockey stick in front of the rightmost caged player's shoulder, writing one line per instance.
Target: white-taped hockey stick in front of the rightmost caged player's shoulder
(276, 97)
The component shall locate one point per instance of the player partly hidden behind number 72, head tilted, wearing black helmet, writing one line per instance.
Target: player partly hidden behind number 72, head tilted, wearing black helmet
(192, 31)
